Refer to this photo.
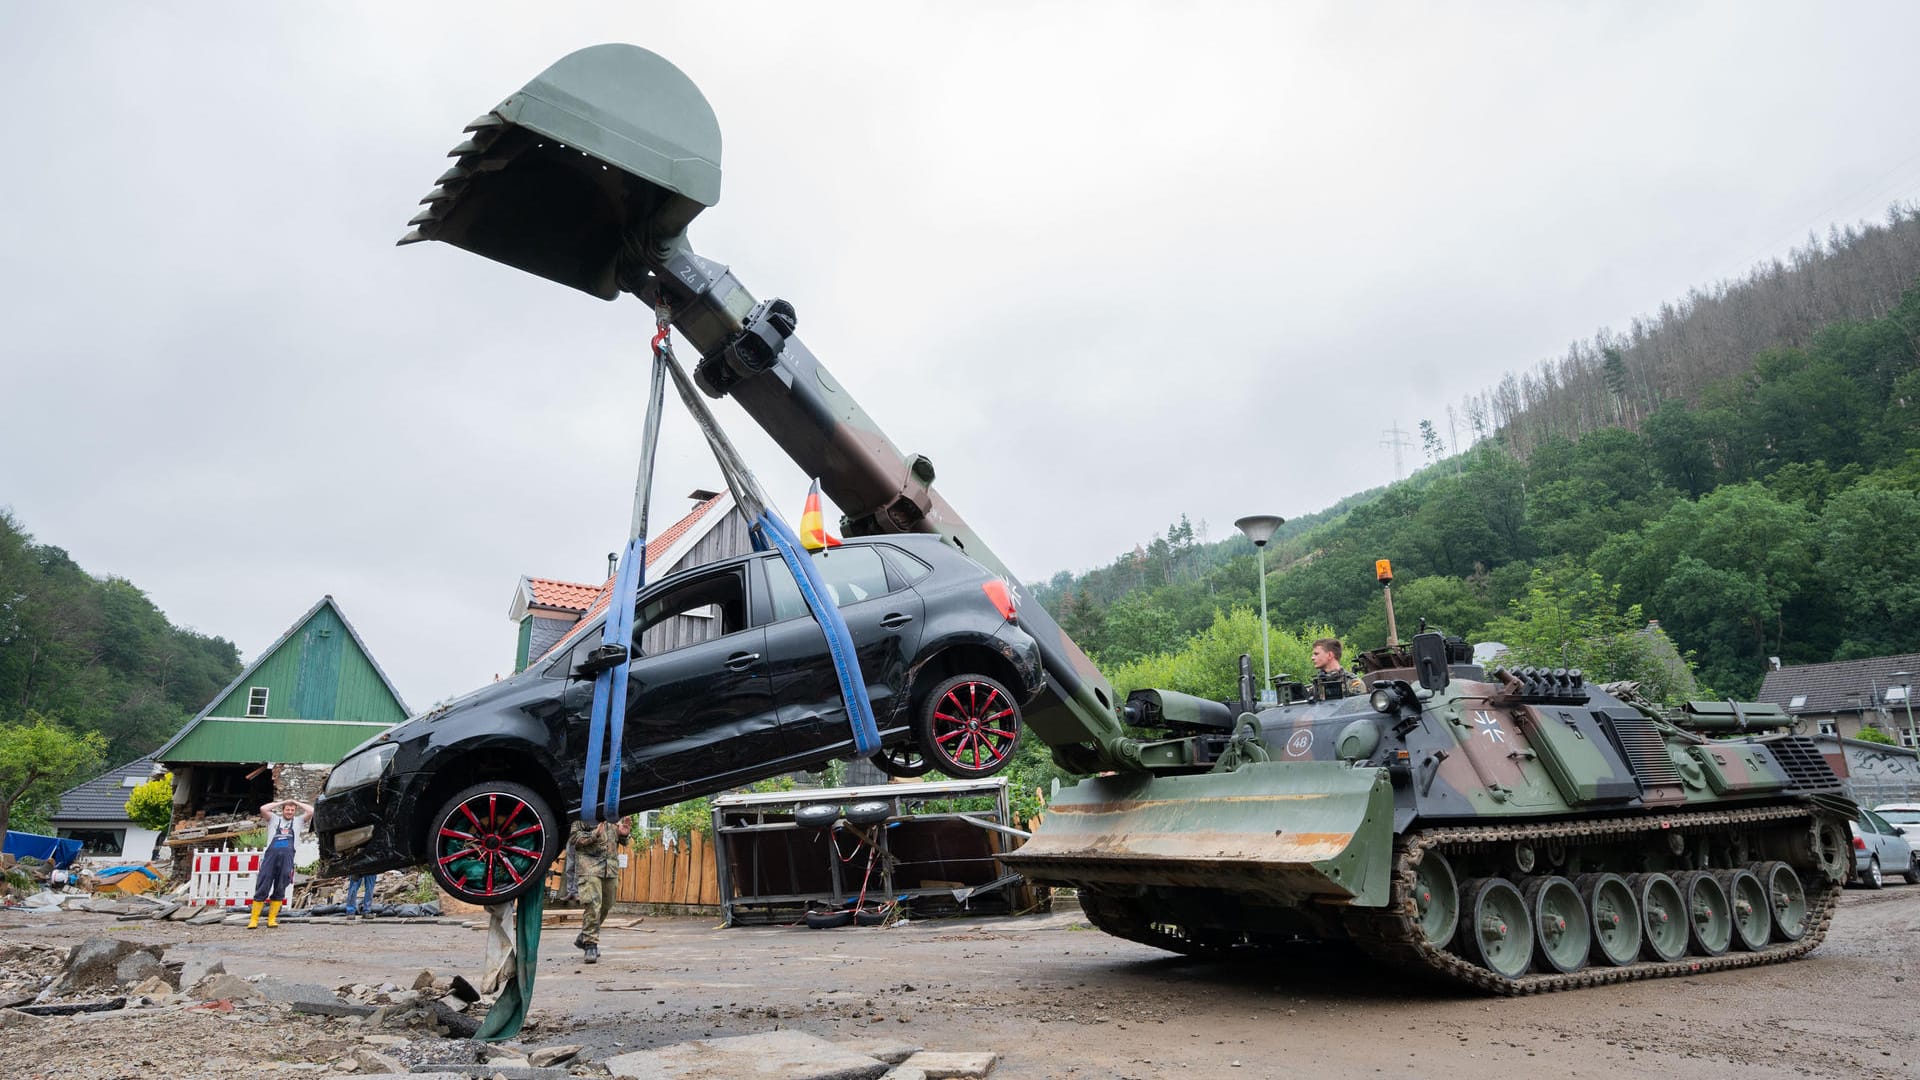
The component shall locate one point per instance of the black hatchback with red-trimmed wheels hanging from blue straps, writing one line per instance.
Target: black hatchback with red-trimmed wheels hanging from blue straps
(731, 683)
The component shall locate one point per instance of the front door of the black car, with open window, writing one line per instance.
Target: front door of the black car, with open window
(700, 702)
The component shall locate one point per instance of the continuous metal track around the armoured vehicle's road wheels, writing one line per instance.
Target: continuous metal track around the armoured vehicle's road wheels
(1393, 933)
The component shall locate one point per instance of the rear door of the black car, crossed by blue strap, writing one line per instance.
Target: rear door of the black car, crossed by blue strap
(884, 620)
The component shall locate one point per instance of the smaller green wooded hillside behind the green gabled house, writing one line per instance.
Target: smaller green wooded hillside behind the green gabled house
(95, 654)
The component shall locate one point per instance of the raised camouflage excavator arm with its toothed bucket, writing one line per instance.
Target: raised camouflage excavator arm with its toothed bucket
(590, 176)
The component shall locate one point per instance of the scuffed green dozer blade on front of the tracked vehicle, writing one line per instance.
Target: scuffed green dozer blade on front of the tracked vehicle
(1291, 833)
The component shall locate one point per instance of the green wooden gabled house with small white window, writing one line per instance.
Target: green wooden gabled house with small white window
(279, 729)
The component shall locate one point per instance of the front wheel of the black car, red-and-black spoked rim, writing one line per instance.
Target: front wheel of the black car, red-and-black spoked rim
(492, 843)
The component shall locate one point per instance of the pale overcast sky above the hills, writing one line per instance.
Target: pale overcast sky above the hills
(1105, 264)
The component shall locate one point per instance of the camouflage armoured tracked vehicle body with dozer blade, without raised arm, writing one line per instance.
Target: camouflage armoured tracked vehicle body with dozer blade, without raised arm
(1512, 831)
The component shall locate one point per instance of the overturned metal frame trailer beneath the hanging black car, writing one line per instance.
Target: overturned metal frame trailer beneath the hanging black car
(752, 816)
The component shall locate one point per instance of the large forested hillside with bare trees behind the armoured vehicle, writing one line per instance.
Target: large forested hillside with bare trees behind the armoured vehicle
(1742, 468)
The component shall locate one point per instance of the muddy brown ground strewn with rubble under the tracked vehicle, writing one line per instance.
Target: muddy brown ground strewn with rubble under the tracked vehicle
(1049, 994)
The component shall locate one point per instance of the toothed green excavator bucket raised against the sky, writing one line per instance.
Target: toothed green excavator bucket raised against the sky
(610, 147)
